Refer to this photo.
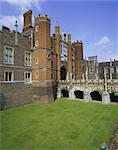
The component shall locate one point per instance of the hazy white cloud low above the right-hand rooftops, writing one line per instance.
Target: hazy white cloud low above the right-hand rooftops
(104, 48)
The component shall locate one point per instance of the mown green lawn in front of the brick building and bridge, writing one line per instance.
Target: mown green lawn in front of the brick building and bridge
(63, 125)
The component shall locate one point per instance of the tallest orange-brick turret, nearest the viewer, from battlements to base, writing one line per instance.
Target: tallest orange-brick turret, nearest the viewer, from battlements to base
(41, 60)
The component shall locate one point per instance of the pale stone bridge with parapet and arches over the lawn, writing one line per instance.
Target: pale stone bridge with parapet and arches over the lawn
(104, 87)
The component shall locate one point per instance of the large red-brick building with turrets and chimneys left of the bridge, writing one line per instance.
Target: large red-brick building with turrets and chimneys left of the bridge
(31, 62)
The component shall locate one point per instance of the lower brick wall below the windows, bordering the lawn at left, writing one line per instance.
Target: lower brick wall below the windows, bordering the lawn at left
(14, 94)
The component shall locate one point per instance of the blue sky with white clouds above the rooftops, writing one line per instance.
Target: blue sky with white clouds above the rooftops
(95, 22)
